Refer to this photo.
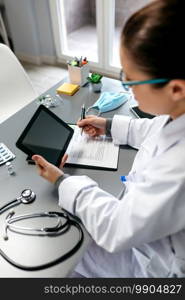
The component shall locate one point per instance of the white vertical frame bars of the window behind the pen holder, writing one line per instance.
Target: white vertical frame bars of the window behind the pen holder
(105, 22)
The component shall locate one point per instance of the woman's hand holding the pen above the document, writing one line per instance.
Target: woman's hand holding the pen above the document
(93, 125)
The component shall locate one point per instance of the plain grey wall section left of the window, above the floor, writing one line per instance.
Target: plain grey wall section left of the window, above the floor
(31, 30)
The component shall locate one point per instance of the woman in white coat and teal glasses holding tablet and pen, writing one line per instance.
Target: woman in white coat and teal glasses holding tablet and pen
(143, 233)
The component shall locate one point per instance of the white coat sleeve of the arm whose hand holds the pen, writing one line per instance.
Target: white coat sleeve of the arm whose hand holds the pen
(132, 132)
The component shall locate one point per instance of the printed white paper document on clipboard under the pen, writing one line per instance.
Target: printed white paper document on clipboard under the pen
(96, 152)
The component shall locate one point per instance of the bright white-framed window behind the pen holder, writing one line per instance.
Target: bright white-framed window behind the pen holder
(91, 28)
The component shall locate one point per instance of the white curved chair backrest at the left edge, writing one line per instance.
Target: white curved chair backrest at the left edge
(16, 89)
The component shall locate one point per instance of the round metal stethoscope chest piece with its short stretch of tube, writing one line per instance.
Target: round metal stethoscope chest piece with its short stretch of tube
(27, 196)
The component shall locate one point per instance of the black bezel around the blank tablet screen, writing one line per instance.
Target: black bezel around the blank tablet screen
(29, 125)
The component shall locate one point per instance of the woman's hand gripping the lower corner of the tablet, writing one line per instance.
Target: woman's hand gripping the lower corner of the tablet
(48, 170)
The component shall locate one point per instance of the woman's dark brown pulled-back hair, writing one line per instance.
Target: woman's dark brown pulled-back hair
(153, 37)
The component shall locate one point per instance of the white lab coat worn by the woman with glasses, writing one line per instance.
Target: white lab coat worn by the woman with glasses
(143, 234)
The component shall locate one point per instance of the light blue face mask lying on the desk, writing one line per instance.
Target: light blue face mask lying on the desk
(109, 101)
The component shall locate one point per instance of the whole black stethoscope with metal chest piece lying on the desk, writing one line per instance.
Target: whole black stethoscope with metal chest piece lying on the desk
(63, 224)
